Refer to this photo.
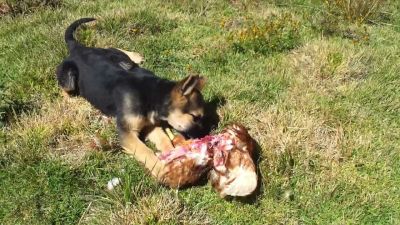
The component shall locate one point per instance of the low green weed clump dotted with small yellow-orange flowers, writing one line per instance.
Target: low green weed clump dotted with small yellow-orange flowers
(278, 33)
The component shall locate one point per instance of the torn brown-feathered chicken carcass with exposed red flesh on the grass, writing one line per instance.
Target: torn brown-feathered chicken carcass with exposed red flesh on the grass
(227, 157)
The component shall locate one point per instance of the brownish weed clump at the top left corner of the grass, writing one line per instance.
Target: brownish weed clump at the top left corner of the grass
(17, 7)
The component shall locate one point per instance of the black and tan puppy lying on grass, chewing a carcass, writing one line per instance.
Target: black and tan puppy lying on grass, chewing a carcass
(140, 101)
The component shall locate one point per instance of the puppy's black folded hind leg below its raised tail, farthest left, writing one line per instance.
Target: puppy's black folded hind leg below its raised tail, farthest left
(67, 76)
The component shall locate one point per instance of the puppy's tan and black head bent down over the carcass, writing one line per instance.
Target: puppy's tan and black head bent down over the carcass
(187, 104)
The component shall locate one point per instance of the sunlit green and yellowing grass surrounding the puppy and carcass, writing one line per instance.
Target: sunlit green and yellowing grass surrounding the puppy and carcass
(319, 93)
